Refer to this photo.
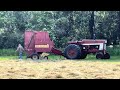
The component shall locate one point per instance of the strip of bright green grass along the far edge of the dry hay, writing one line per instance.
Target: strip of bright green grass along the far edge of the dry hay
(57, 58)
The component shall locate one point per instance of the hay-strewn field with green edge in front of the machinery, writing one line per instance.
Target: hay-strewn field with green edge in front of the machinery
(59, 68)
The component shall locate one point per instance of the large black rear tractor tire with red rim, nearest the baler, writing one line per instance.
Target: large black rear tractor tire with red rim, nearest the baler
(72, 51)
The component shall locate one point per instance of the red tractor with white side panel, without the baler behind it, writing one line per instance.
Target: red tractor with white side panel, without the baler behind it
(80, 49)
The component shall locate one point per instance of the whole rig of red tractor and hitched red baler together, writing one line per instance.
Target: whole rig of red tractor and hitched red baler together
(38, 42)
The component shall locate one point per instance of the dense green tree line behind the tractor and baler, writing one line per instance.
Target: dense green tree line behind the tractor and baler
(63, 26)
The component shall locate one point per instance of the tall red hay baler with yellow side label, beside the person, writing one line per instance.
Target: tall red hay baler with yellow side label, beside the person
(38, 42)
